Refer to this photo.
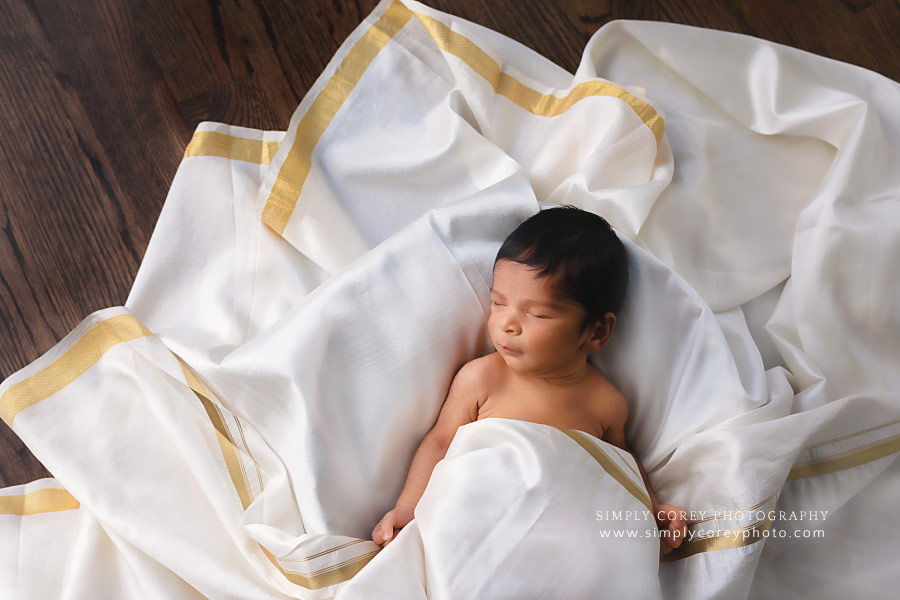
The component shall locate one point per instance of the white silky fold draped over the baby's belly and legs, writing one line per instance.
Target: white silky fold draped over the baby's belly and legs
(511, 512)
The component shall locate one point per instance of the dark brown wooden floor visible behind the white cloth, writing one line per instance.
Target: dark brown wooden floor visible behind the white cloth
(98, 100)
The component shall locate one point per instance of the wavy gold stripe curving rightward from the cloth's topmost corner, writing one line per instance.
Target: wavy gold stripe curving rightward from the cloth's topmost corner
(544, 105)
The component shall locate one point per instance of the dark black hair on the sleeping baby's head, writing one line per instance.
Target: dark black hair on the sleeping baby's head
(580, 250)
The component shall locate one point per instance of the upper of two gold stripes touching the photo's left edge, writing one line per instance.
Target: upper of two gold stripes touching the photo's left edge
(83, 354)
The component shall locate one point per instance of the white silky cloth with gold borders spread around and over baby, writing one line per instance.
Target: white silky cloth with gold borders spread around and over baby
(239, 426)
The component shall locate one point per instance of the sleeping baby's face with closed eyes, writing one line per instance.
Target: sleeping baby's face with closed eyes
(535, 332)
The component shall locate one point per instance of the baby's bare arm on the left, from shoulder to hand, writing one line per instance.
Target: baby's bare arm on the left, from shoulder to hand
(460, 407)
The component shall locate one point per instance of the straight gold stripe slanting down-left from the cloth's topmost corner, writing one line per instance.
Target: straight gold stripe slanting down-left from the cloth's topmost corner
(292, 175)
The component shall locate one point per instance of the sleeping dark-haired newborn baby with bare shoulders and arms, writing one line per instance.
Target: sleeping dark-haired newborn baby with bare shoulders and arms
(559, 281)
